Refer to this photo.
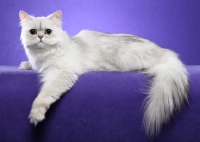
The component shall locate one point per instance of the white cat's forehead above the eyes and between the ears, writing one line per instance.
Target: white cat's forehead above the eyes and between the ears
(40, 23)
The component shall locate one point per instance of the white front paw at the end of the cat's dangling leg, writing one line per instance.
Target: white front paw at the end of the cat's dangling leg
(37, 114)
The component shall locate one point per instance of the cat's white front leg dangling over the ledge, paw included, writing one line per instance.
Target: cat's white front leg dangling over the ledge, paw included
(55, 84)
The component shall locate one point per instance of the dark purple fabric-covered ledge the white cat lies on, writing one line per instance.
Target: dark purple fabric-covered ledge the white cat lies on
(101, 107)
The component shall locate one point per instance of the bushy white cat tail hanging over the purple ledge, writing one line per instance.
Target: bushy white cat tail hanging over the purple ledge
(168, 92)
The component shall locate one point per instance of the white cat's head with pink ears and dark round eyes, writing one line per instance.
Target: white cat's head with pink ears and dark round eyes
(41, 32)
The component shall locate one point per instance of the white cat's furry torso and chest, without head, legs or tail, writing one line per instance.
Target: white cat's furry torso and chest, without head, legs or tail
(98, 51)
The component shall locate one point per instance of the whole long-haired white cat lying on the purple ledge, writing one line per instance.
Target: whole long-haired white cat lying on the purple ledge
(61, 59)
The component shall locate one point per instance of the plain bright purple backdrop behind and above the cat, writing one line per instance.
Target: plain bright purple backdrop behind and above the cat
(171, 24)
